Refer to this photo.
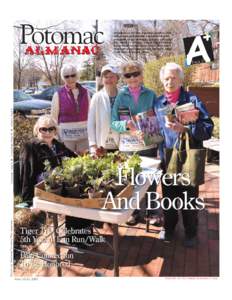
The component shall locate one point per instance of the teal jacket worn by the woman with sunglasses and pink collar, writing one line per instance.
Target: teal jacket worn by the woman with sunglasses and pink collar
(125, 99)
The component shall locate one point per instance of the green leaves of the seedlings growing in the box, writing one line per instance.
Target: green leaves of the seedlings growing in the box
(92, 173)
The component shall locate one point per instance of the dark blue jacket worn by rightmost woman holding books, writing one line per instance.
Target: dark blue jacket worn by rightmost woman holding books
(199, 131)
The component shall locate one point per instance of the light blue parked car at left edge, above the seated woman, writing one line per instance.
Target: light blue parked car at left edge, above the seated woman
(27, 105)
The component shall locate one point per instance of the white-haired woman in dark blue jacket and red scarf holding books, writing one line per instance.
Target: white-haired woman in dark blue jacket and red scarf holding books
(199, 129)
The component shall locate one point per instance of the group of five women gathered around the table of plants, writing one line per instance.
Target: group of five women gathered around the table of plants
(78, 123)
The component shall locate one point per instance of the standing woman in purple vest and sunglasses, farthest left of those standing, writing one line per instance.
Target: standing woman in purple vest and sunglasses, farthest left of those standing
(70, 105)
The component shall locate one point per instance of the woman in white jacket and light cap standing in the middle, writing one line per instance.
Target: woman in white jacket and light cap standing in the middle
(99, 118)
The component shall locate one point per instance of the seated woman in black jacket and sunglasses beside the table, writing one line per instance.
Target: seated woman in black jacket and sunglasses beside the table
(44, 147)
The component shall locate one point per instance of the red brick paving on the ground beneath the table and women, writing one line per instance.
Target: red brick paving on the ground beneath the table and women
(142, 253)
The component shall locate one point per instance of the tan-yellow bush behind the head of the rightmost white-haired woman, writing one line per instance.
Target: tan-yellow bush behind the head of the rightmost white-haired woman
(152, 70)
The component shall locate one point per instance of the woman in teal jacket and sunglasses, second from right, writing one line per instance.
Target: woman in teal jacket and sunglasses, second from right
(133, 99)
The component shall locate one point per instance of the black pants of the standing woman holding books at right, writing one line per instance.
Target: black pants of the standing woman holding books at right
(190, 217)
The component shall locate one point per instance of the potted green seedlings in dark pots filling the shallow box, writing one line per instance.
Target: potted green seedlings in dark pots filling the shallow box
(85, 176)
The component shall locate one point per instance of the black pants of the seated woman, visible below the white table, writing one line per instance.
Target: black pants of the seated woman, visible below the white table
(81, 230)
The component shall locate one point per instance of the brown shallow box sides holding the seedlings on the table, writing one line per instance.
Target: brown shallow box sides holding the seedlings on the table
(87, 203)
